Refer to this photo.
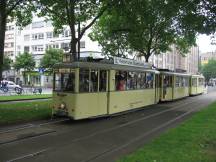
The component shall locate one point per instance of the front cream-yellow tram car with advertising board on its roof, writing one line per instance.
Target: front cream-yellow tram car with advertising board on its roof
(91, 89)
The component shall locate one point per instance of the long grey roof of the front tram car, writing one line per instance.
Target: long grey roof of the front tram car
(104, 66)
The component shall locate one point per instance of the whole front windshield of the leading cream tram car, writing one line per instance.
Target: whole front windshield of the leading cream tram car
(65, 81)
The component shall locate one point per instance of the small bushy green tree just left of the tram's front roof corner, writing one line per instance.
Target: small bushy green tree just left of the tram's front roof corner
(51, 57)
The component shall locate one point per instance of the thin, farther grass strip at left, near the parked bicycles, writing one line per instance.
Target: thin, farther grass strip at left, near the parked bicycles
(20, 97)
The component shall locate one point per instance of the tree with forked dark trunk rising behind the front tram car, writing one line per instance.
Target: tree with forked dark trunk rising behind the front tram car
(78, 15)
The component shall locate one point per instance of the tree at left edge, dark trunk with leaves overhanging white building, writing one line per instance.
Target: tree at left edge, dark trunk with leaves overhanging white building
(19, 10)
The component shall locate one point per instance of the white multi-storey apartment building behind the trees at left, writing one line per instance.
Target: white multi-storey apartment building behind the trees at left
(35, 39)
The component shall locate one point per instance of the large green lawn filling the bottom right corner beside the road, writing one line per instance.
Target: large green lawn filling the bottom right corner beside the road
(192, 141)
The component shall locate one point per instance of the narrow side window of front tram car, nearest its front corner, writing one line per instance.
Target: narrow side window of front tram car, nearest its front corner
(84, 80)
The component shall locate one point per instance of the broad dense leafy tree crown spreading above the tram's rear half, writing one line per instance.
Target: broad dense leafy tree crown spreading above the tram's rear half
(150, 27)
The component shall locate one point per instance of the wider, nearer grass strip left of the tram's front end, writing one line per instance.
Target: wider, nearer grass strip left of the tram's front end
(24, 111)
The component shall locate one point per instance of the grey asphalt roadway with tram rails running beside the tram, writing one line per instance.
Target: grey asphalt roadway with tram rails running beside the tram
(97, 140)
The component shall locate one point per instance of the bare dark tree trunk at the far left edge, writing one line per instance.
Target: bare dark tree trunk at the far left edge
(2, 33)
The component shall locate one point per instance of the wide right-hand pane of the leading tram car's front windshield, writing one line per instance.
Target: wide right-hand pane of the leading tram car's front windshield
(68, 81)
